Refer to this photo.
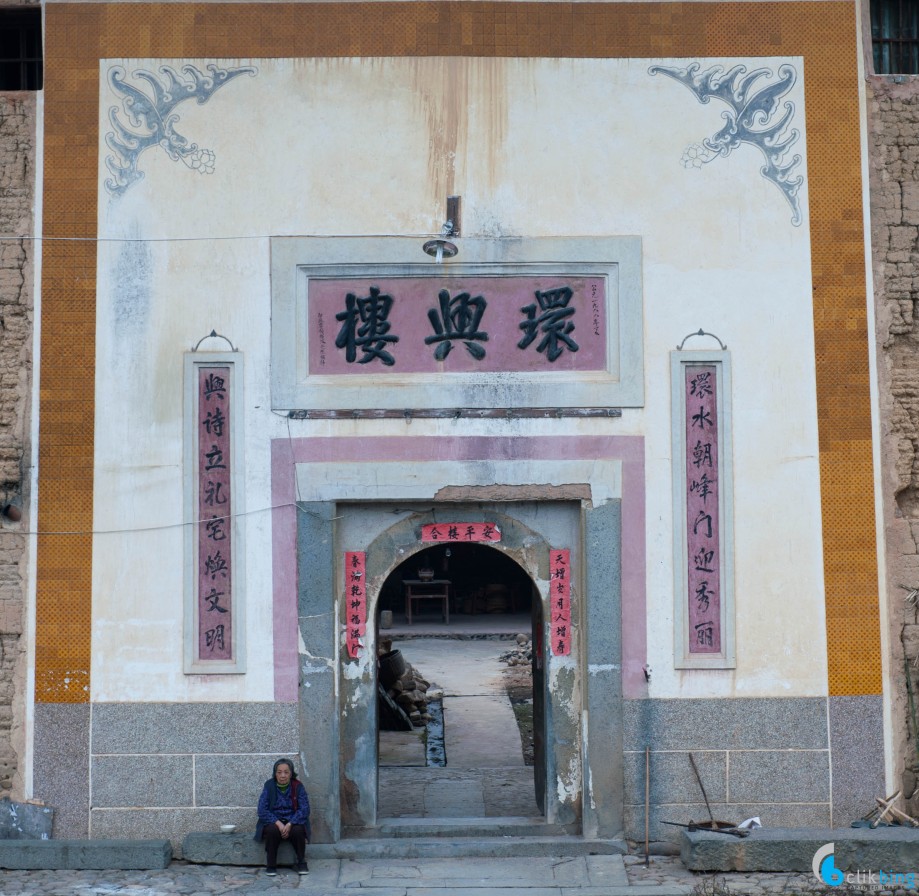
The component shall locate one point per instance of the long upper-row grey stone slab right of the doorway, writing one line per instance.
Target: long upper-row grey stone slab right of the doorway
(767, 723)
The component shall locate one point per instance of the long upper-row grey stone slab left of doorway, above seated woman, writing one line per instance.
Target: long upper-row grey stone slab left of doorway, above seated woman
(263, 728)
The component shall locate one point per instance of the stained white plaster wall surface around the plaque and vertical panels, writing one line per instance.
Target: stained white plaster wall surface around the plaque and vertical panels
(536, 148)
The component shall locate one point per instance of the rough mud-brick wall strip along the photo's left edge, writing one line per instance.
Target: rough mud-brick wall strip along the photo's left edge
(17, 178)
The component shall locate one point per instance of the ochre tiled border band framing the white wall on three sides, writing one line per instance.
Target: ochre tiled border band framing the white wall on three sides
(79, 35)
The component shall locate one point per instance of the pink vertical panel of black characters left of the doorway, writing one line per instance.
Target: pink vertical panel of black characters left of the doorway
(214, 513)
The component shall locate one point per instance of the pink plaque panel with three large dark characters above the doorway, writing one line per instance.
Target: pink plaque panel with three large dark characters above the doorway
(457, 324)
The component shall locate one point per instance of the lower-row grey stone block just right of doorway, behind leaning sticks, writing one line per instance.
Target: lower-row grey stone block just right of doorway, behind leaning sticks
(672, 777)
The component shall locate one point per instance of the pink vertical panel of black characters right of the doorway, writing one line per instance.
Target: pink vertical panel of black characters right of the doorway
(702, 500)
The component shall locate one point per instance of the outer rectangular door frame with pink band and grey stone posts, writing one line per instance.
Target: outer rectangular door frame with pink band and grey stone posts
(598, 474)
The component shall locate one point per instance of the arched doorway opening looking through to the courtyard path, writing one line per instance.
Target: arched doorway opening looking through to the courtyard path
(461, 722)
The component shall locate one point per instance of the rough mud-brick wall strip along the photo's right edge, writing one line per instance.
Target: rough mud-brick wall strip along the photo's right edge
(894, 159)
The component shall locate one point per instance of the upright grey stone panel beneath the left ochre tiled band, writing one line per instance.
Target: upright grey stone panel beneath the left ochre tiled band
(61, 765)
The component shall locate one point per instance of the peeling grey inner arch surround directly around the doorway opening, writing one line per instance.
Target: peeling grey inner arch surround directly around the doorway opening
(529, 531)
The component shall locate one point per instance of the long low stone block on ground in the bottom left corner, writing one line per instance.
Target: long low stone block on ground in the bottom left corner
(79, 855)
